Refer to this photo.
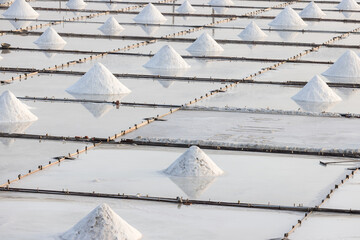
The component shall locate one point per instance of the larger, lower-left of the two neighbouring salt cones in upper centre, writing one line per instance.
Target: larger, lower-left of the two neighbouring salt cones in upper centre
(167, 58)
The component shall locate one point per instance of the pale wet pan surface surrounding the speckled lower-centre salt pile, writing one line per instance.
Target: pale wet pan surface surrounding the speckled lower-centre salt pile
(139, 170)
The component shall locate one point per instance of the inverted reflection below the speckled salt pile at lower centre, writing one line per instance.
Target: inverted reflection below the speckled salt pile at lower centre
(193, 187)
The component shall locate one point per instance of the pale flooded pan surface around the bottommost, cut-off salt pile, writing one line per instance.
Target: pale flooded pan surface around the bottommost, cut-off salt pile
(24, 217)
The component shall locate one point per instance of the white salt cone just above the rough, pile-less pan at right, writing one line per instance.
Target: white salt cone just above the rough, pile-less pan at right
(316, 90)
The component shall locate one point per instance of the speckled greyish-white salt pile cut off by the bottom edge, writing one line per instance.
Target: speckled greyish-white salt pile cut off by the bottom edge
(102, 224)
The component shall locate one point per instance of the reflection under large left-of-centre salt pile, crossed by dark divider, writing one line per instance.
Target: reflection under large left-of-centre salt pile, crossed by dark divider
(98, 110)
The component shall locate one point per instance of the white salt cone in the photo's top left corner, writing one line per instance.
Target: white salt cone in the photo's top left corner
(20, 9)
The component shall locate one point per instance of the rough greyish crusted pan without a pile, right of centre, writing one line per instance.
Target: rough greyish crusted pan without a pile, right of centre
(272, 130)
